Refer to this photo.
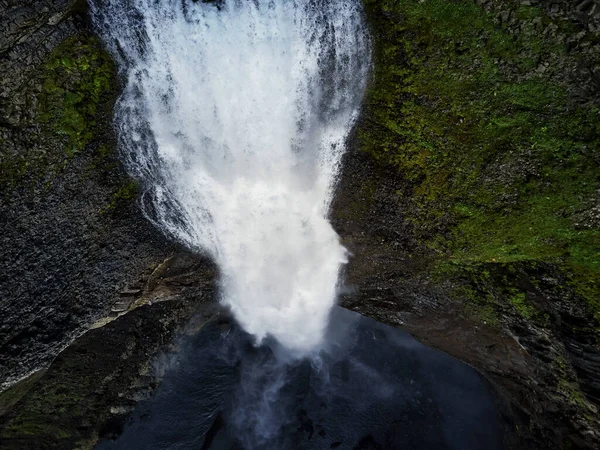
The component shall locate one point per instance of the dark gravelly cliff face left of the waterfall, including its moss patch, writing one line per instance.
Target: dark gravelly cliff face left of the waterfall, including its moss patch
(70, 236)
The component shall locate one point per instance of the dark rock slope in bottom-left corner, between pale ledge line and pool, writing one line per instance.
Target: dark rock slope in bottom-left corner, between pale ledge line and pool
(92, 386)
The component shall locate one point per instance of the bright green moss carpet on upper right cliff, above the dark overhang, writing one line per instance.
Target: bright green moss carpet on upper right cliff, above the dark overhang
(489, 145)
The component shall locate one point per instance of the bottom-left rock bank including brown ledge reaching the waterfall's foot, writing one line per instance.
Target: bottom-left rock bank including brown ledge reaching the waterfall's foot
(94, 383)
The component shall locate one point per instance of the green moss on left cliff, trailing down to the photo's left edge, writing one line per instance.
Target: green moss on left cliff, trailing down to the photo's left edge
(78, 92)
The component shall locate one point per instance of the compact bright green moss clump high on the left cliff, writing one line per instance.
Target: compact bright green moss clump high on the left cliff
(77, 78)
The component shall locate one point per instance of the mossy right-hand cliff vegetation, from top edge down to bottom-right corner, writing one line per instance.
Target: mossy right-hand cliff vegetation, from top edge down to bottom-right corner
(488, 112)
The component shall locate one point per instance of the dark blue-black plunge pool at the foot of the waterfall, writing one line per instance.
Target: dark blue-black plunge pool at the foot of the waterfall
(375, 388)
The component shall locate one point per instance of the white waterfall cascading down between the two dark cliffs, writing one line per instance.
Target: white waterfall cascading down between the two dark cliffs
(234, 115)
